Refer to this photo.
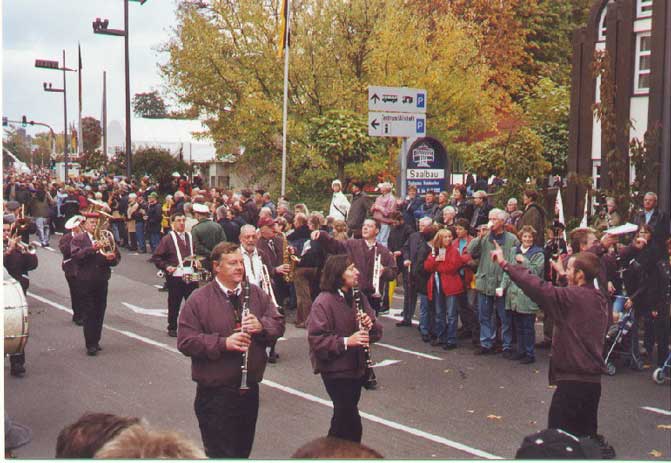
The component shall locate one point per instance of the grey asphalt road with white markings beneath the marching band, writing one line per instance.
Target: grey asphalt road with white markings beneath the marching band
(430, 404)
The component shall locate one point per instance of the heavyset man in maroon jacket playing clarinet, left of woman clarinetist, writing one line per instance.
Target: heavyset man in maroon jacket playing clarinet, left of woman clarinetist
(214, 331)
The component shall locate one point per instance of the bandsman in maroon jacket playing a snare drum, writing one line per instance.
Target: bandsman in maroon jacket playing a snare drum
(169, 257)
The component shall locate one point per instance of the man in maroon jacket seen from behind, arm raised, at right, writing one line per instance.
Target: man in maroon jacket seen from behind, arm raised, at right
(580, 313)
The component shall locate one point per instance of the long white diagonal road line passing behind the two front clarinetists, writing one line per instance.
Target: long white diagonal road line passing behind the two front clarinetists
(312, 398)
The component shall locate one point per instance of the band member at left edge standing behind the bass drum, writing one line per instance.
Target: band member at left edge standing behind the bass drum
(18, 260)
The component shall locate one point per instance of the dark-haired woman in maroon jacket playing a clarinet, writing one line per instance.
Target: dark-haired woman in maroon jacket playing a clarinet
(338, 334)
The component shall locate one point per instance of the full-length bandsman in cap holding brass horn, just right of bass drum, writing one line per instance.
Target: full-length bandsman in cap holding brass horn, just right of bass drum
(93, 274)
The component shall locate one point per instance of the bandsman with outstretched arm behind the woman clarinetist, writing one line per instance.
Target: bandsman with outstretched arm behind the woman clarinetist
(363, 253)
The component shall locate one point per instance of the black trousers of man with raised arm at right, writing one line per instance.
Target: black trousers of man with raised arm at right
(575, 408)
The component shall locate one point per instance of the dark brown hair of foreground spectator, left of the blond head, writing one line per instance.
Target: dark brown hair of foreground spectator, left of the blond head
(84, 437)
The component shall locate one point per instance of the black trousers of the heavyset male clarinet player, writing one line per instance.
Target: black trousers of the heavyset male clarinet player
(227, 420)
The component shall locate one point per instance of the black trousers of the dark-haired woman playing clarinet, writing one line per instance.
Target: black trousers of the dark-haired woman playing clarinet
(345, 394)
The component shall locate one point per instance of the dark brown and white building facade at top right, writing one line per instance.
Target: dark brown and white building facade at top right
(637, 37)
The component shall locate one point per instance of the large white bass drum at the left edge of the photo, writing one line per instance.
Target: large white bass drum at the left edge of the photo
(16, 316)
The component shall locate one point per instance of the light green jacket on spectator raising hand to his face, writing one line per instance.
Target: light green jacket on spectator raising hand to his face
(489, 274)
